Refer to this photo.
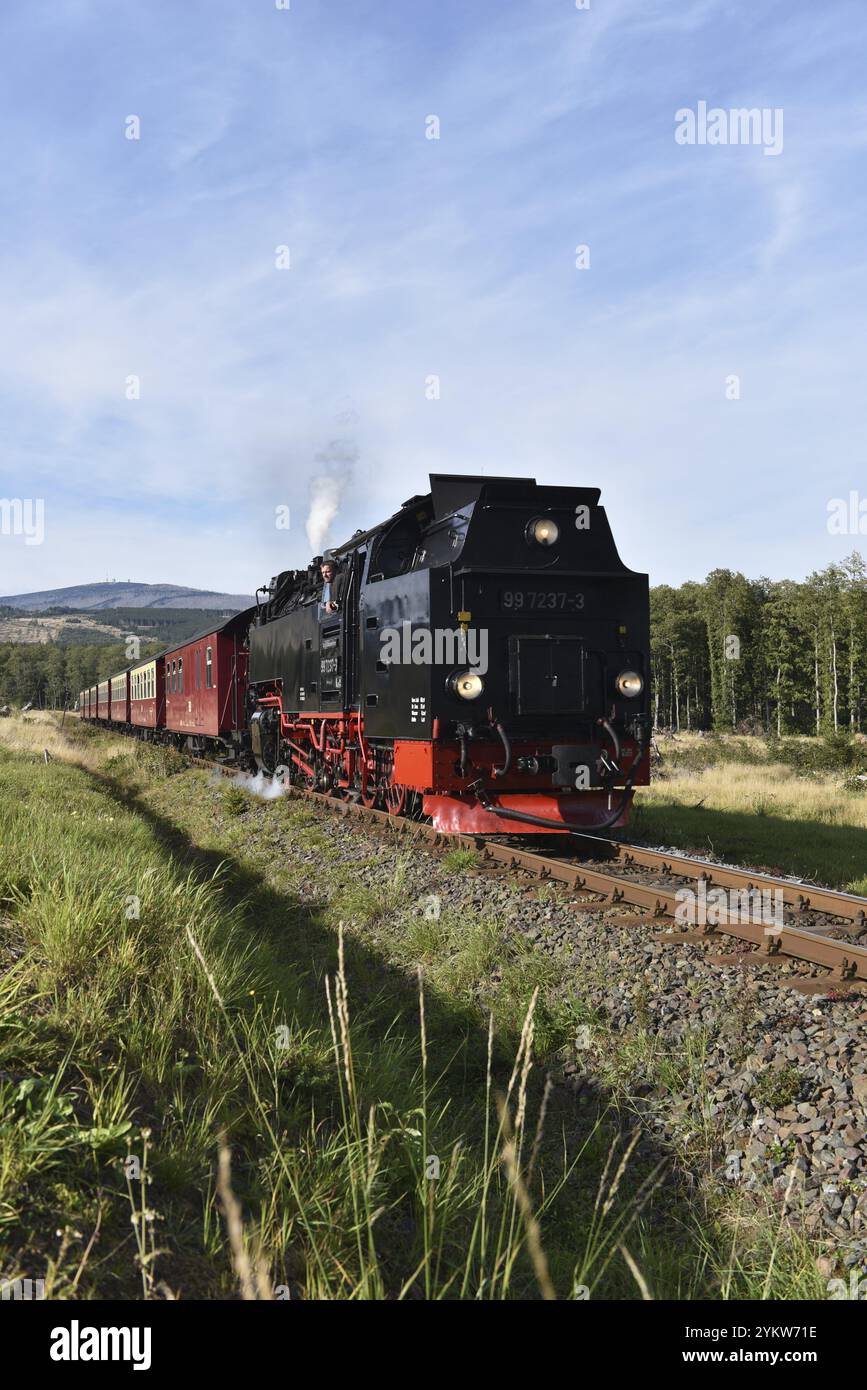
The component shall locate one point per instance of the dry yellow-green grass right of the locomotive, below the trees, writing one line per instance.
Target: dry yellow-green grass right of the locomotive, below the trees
(793, 807)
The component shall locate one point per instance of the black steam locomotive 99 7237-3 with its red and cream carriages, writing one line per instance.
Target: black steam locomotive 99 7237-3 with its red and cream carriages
(486, 667)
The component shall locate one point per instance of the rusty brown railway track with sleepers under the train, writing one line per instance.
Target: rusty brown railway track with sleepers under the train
(815, 925)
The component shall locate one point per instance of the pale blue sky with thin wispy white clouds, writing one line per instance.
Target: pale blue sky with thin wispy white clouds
(412, 258)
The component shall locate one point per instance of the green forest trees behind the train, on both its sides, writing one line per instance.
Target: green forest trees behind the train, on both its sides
(730, 654)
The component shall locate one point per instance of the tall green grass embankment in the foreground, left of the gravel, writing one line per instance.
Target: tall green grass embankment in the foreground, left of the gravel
(233, 1067)
